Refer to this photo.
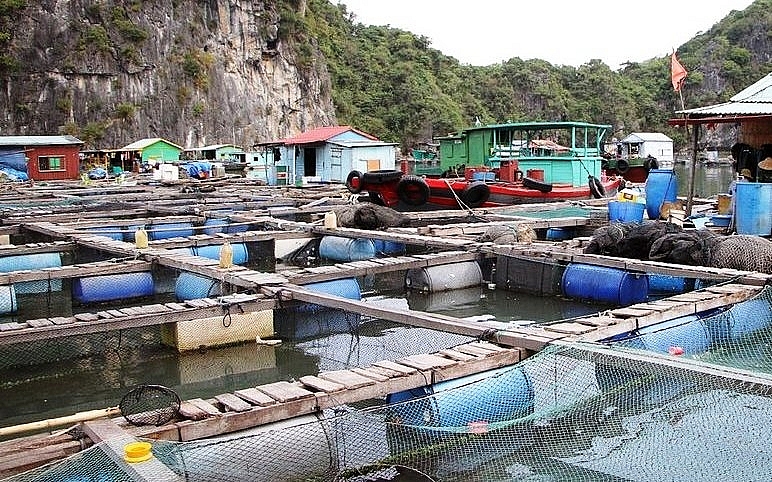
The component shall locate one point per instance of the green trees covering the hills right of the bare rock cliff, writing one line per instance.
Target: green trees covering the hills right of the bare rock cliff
(393, 84)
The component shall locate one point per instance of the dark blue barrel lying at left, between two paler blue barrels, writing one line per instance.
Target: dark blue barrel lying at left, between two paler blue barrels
(93, 289)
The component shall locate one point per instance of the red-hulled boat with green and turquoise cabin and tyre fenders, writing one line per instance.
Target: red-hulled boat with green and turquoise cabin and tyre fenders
(514, 163)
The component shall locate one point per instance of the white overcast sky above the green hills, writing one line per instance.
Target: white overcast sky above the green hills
(484, 32)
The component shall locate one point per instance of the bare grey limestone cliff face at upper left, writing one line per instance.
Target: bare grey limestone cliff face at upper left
(195, 72)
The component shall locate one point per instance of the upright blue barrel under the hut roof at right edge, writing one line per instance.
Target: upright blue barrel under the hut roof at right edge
(753, 208)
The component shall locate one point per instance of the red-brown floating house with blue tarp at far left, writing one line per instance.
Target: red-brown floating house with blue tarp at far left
(41, 158)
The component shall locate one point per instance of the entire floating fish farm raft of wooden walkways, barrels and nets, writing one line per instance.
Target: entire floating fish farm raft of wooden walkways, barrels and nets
(666, 379)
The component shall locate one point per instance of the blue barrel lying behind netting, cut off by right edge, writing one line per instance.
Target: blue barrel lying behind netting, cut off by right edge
(740, 320)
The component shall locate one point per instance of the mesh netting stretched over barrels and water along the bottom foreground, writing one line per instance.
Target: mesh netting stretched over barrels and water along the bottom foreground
(603, 411)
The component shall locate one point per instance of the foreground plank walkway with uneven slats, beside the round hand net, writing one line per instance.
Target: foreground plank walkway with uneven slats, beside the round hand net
(253, 406)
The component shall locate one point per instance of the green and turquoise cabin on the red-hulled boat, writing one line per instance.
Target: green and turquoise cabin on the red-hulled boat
(553, 152)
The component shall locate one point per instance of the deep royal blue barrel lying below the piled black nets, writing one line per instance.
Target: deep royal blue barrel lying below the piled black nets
(608, 285)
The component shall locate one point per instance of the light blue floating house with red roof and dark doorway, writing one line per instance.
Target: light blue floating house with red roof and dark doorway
(328, 154)
